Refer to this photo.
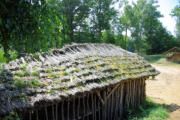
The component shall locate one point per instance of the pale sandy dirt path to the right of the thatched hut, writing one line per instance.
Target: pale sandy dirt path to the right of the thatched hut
(165, 89)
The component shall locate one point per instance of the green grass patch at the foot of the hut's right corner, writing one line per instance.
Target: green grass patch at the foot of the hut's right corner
(149, 111)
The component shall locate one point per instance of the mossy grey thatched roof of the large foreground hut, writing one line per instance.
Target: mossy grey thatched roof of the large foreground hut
(36, 80)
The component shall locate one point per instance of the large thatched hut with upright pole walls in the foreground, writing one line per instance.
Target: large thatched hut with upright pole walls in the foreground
(77, 82)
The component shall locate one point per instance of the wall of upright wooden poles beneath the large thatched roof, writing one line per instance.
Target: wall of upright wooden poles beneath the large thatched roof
(104, 104)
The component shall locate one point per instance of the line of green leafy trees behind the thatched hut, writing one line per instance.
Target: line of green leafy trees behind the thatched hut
(28, 26)
